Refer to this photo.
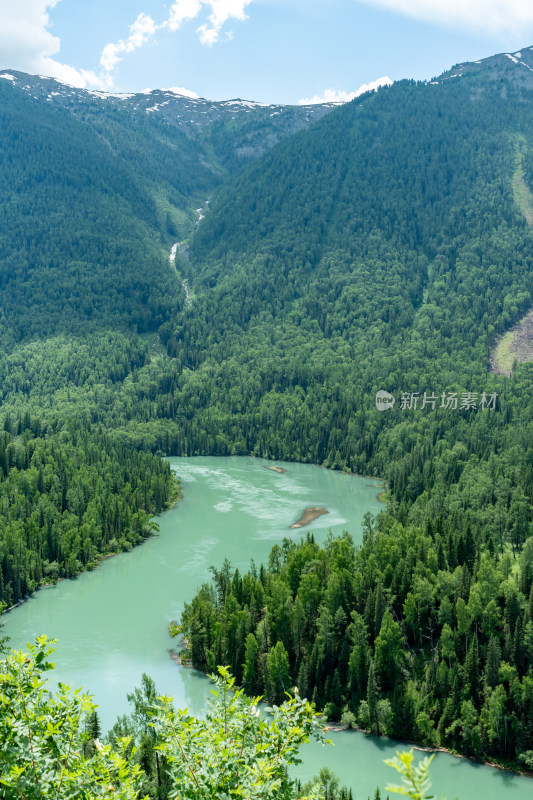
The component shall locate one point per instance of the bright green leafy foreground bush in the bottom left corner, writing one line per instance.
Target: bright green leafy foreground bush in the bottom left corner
(42, 738)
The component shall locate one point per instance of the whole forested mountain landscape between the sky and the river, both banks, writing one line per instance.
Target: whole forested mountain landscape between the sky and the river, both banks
(382, 250)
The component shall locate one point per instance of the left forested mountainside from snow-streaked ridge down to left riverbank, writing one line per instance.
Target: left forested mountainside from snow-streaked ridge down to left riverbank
(94, 189)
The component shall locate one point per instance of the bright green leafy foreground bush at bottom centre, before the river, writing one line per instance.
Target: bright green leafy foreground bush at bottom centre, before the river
(235, 752)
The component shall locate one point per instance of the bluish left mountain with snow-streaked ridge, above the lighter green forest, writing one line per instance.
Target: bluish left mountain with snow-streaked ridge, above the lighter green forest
(96, 184)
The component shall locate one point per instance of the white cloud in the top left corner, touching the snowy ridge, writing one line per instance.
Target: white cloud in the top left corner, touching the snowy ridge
(26, 44)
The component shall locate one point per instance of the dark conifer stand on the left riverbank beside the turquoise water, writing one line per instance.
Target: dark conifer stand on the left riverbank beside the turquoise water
(70, 496)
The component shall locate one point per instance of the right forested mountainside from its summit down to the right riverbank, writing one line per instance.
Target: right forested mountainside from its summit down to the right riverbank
(384, 249)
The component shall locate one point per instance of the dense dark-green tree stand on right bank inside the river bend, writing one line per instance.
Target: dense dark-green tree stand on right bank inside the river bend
(417, 635)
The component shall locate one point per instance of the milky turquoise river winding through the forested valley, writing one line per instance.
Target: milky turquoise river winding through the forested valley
(112, 624)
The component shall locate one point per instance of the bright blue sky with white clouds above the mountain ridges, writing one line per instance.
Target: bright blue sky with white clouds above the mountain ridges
(282, 51)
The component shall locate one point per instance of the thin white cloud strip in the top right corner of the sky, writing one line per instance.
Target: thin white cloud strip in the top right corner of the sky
(493, 16)
